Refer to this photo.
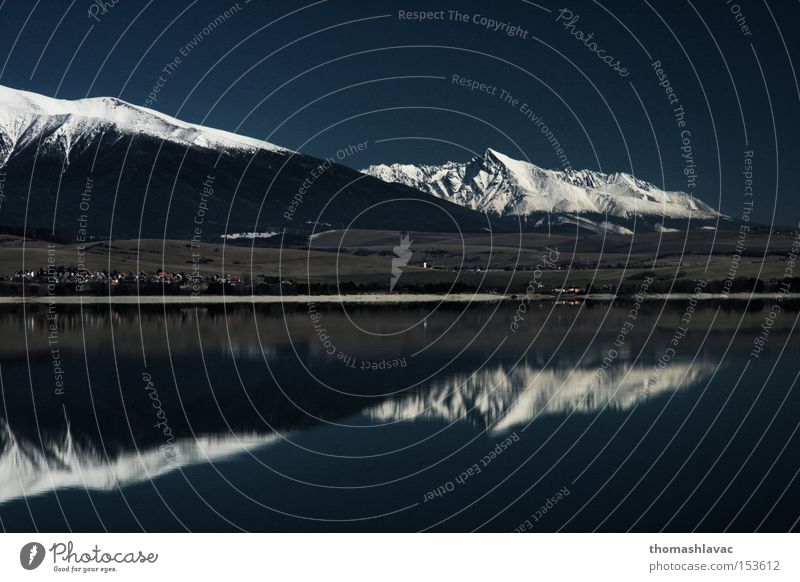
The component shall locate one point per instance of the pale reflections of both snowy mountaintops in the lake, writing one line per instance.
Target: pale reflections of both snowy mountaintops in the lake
(499, 399)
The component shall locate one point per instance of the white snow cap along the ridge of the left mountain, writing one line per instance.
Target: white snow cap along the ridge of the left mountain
(25, 117)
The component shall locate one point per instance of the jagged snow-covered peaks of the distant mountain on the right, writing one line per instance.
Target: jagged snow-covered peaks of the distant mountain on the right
(501, 185)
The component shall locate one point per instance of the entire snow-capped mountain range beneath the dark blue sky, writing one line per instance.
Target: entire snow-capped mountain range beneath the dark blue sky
(102, 168)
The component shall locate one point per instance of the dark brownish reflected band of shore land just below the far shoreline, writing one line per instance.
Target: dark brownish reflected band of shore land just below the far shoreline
(242, 325)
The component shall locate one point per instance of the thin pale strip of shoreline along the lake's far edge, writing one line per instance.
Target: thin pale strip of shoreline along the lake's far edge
(369, 298)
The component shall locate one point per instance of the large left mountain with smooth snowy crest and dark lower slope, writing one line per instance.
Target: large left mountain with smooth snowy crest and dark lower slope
(102, 168)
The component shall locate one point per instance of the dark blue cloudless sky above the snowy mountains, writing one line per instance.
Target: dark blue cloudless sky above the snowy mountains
(319, 76)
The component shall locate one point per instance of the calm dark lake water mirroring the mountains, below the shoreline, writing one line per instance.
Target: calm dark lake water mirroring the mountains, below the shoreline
(399, 418)
